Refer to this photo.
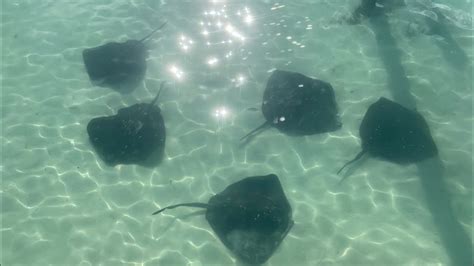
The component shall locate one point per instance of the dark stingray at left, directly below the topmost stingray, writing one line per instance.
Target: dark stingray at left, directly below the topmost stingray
(135, 135)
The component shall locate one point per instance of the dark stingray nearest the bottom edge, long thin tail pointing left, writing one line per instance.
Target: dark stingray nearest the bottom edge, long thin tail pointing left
(251, 217)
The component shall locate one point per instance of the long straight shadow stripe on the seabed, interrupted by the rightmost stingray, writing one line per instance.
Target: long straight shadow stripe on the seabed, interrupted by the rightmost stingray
(455, 240)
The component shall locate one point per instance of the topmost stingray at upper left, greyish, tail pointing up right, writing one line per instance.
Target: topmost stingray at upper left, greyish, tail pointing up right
(119, 66)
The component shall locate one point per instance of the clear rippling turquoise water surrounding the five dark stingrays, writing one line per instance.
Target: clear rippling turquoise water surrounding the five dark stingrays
(62, 205)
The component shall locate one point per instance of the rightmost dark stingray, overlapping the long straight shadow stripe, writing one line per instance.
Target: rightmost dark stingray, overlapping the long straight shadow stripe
(394, 133)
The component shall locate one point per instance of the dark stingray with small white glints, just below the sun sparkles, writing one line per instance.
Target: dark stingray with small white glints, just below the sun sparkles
(298, 105)
